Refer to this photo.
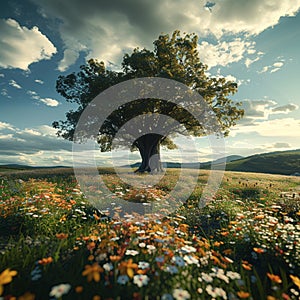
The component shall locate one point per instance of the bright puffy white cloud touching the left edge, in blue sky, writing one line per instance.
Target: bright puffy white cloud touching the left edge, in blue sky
(21, 46)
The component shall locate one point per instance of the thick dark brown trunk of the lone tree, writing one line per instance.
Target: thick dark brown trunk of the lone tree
(149, 147)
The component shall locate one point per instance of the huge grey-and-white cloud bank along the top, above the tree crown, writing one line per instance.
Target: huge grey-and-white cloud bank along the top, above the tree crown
(105, 29)
